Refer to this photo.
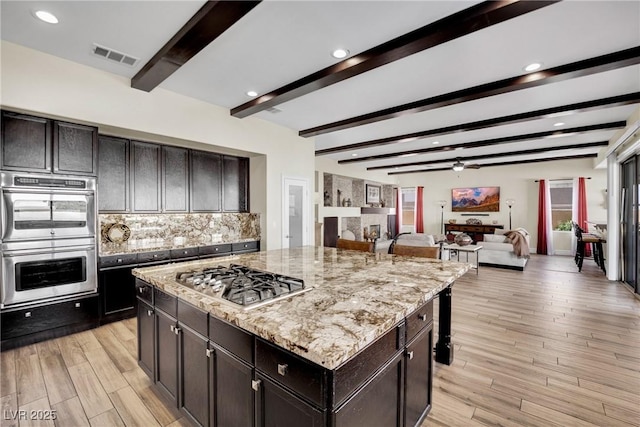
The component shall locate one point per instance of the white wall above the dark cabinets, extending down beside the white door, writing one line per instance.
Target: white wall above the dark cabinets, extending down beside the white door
(46, 85)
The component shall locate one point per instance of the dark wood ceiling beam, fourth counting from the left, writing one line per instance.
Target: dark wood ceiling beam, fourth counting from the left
(580, 107)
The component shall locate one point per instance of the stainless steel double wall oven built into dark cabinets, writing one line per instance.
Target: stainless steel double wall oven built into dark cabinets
(48, 238)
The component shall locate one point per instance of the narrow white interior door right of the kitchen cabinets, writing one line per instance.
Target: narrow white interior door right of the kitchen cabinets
(295, 211)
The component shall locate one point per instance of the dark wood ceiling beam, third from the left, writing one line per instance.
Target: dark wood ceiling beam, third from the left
(612, 61)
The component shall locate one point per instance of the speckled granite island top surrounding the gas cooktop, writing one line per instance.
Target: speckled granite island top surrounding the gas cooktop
(355, 298)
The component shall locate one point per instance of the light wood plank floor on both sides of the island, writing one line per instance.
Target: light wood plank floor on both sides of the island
(545, 347)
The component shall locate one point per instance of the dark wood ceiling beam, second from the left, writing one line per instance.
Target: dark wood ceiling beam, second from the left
(465, 22)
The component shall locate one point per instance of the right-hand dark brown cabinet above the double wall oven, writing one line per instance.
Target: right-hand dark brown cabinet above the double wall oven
(75, 149)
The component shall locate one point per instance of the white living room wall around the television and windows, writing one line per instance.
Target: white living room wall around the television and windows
(516, 182)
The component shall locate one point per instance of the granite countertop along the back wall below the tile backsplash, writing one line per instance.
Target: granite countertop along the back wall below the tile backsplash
(149, 245)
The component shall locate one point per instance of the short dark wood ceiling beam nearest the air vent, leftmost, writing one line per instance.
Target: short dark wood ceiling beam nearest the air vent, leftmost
(213, 19)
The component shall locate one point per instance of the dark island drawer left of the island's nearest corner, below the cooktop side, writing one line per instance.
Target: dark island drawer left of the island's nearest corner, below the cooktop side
(303, 377)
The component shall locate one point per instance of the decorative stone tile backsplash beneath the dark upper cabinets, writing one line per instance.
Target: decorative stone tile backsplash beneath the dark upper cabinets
(205, 228)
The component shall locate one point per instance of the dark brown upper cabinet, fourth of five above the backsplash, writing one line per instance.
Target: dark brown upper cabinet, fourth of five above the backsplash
(206, 181)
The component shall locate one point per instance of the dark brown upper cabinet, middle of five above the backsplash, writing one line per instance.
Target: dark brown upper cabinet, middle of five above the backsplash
(175, 179)
